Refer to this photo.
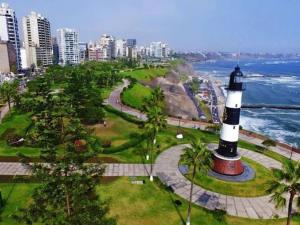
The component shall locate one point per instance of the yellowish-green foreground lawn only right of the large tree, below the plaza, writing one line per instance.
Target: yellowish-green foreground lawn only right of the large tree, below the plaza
(152, 204)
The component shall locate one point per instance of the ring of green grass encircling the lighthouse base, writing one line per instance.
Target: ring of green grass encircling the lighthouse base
(252, 188)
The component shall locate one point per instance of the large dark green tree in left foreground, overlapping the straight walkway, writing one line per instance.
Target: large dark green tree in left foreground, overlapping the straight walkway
(67, 191)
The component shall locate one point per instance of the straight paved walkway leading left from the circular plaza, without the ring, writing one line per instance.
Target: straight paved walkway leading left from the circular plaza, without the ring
(112, 169)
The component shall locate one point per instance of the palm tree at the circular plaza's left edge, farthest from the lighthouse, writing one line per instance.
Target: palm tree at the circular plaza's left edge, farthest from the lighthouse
(156, 121)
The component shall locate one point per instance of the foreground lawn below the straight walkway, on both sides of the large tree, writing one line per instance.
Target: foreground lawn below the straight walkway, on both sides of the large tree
(131, 204)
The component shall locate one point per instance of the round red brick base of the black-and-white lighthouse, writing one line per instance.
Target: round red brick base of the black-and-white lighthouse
(227, 166)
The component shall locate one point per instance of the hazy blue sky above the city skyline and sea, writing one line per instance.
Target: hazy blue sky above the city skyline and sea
(187, 25)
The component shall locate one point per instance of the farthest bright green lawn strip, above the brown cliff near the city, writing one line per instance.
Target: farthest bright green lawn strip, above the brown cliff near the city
(145, 74)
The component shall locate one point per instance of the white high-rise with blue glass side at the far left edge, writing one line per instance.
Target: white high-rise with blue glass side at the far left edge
(9, 30)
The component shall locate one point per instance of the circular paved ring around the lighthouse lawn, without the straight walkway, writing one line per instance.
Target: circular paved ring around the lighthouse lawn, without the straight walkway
(166, 168)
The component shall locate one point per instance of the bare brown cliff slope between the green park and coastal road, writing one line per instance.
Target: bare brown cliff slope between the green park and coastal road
(178, 103)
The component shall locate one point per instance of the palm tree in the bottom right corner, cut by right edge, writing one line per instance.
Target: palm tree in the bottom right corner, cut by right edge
(286, 181)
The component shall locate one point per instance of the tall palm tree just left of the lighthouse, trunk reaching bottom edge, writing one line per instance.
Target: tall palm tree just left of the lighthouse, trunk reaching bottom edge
(199, 159)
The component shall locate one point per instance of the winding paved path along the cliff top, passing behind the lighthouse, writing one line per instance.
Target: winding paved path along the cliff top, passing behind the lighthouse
(115, 101)
